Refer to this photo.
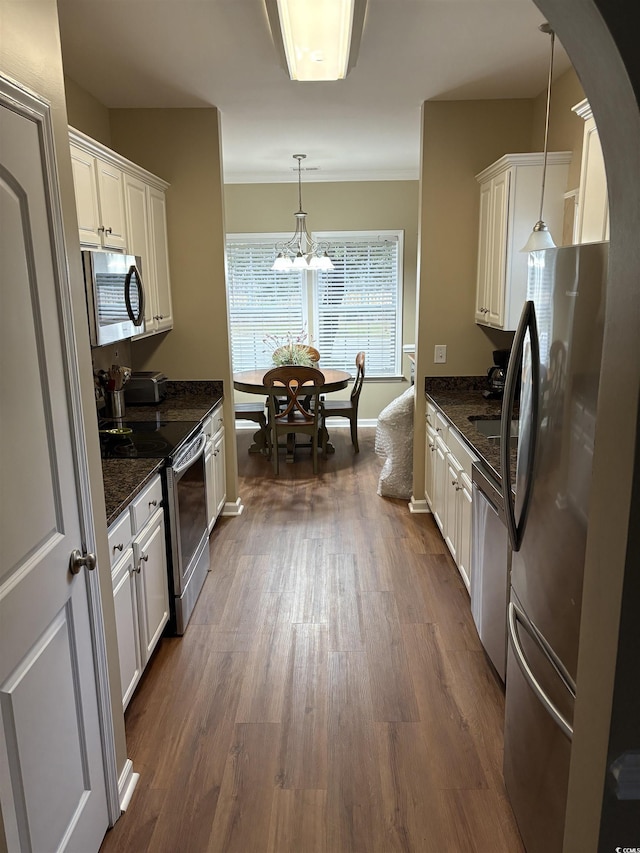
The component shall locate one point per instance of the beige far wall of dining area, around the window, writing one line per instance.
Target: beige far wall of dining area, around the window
(367, 206)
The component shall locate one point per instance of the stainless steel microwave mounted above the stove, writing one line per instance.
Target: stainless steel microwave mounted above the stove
(115, 296)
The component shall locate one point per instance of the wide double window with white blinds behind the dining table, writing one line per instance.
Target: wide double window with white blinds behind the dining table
(356, 306)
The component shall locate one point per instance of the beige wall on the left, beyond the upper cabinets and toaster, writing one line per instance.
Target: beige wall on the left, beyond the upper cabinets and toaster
(183, 147)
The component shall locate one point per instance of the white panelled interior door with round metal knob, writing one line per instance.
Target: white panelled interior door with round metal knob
(52, 770)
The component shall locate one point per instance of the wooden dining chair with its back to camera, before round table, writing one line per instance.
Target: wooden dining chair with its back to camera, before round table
(300, 388)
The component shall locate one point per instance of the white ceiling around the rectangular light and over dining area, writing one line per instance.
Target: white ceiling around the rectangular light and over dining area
(199, 53)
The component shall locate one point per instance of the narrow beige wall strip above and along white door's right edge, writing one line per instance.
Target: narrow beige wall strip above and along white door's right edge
(30, 53)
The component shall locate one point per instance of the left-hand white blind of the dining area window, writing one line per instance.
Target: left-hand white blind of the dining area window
(261, 302)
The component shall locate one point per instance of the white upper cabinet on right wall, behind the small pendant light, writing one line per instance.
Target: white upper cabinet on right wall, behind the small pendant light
(509, 208)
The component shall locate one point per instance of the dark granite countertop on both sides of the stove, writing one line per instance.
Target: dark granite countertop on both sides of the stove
(125, 478)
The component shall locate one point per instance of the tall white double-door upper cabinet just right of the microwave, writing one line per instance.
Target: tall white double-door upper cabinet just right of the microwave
(147, 238)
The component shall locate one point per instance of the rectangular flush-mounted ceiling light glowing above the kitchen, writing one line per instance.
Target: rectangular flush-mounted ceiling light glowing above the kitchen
(317, 41)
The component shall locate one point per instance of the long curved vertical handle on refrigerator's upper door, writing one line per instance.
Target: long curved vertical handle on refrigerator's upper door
(527, 323)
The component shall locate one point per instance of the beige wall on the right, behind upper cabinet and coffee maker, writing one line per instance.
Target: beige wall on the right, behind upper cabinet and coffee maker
(459, 139)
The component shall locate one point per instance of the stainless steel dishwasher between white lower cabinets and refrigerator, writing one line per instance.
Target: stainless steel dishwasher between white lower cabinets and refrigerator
(490, 566)
